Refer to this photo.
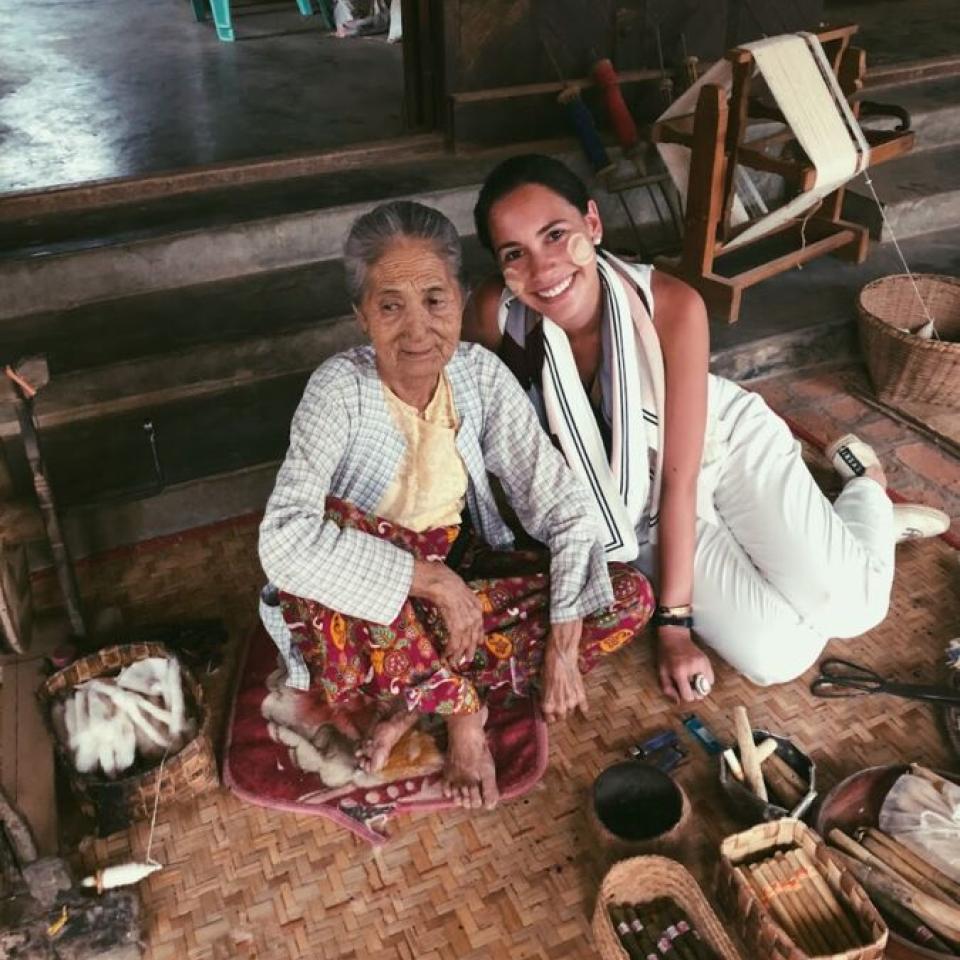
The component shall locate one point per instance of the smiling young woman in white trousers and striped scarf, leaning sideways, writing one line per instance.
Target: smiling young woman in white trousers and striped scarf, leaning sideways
(699, 484)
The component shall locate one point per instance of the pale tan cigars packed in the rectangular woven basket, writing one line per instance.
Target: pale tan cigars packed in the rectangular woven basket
(798, 897)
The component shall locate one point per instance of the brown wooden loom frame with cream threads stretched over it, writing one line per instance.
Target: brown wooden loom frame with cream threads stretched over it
(715, 139)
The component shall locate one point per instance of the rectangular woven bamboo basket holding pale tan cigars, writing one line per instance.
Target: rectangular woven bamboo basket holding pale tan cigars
(758, 929)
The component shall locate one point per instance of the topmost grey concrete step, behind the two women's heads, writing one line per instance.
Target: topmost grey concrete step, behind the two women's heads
(53, 263)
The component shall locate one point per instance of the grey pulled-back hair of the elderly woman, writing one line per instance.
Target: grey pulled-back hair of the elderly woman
(374, 232)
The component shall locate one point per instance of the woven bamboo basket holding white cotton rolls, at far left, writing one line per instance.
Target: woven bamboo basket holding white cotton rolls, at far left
(114, 804)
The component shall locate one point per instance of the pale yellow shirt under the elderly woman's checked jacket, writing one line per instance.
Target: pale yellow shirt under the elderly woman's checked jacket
(430, 487)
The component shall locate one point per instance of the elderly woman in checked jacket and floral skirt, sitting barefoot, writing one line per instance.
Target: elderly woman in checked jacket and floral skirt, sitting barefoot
(386, 592)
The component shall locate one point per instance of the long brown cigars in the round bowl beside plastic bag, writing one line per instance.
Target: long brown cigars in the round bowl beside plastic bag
(917, 900)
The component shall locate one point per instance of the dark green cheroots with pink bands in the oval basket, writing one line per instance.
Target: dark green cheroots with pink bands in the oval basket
(649, 931)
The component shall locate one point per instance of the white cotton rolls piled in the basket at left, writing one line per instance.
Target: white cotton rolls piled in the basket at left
(109, 723)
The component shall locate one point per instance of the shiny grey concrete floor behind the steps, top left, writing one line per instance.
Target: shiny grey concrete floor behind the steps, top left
(112, 88)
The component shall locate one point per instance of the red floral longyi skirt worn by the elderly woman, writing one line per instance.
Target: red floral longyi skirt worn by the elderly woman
(347, 656)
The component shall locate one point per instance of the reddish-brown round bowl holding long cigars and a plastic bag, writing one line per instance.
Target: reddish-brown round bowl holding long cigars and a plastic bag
(856, 802)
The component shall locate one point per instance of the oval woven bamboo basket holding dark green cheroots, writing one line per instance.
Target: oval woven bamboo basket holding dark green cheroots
(642, 879)
